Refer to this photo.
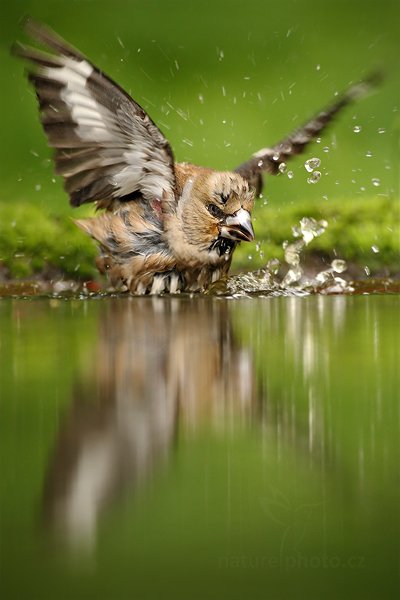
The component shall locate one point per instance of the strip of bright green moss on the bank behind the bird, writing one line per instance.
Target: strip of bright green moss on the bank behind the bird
(33, 242)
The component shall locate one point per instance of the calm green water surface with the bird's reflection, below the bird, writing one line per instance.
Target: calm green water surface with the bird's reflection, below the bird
(200, 448)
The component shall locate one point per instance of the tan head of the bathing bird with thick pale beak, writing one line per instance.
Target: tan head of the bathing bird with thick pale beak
(216, 210)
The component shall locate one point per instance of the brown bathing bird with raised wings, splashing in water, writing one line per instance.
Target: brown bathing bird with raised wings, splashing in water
(165, 226)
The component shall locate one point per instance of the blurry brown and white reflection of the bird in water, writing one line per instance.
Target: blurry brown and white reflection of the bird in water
(160, 366)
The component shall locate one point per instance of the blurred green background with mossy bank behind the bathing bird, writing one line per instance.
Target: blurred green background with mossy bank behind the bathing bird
(221, 79)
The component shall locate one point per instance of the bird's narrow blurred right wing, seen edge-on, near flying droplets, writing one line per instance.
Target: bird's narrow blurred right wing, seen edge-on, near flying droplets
(269, 159)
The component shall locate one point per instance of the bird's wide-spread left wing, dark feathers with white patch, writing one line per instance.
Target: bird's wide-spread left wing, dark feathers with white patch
(106, 146)
